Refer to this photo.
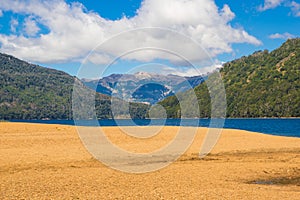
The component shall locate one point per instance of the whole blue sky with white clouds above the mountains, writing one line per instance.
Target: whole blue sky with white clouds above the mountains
(91, 39)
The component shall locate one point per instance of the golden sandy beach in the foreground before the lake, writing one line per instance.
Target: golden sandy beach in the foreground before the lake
(50, 162)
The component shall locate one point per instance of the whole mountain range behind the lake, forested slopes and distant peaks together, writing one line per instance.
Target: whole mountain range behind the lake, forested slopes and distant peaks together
(264, 84)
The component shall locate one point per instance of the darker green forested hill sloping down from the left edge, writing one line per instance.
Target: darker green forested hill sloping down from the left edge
(30, 91)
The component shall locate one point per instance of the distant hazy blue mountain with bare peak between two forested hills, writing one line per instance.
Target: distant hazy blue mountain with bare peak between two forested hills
(142, 86)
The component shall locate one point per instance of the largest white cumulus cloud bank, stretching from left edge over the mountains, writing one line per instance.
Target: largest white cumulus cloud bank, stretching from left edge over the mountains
(74, 31)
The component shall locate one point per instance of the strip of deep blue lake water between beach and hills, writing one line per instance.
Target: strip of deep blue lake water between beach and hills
(283, 127)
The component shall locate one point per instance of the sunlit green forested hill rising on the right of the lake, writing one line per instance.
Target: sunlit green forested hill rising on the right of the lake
(264, 84)
